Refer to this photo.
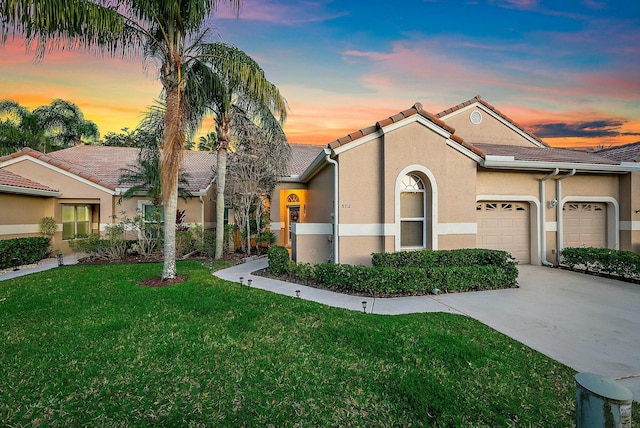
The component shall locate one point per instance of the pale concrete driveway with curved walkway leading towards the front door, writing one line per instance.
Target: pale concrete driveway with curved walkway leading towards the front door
(589, 323)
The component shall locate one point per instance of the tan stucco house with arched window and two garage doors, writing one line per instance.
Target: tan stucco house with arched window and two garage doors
(468, 177)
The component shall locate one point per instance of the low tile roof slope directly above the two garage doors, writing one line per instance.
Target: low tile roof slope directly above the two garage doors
(543, 154)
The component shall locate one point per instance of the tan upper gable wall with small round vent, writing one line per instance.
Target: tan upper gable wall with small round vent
(490, 130)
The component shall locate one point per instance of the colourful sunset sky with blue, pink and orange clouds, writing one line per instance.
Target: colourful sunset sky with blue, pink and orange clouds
(568, 71)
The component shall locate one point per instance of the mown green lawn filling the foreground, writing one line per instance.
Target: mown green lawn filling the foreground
(85, 345)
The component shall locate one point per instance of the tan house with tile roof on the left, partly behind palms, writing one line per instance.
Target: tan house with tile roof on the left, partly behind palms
(79, 188)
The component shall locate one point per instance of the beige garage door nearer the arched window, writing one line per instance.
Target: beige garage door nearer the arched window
(505, 226)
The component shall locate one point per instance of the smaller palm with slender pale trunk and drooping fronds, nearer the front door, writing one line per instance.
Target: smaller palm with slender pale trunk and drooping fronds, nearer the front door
(249, 89)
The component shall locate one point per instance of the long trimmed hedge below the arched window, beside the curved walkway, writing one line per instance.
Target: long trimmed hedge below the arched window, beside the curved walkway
(407, 273)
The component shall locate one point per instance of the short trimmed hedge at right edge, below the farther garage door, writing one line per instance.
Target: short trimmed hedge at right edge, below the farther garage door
(625, 264)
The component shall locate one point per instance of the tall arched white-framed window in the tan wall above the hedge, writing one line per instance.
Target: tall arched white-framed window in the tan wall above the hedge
(412, 212)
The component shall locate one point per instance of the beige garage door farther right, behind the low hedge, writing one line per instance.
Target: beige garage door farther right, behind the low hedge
(584, 224)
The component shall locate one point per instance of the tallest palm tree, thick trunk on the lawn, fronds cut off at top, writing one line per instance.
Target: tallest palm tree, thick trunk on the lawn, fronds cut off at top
(168, 33)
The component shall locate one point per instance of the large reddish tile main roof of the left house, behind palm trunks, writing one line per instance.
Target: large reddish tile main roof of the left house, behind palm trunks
(102, 164)
